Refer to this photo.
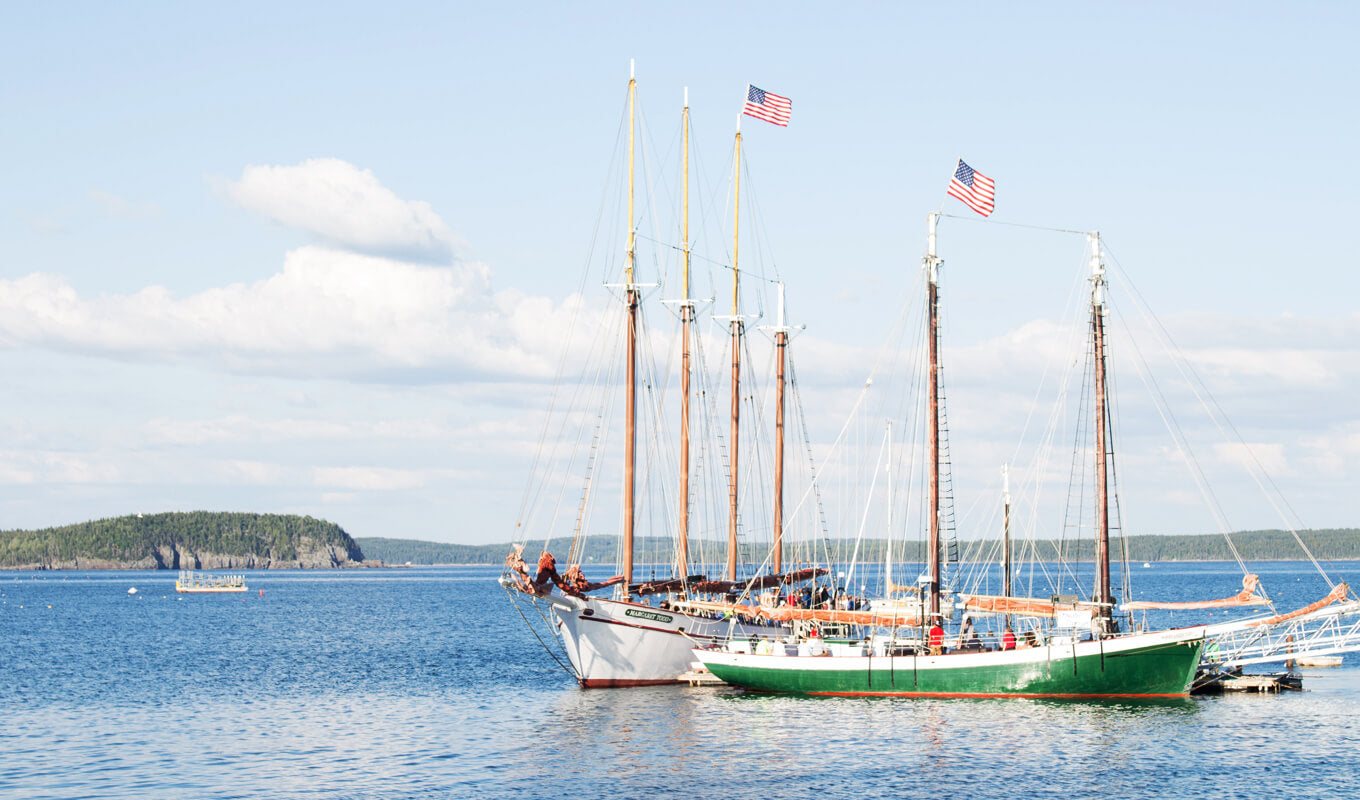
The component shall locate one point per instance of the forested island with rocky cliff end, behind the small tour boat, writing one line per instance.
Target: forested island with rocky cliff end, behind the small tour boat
(184, 541)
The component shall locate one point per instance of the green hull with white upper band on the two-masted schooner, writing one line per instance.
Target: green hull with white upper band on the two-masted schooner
(1143, 666)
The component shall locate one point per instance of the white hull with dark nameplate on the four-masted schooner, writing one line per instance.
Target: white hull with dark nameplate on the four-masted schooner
(615, 644)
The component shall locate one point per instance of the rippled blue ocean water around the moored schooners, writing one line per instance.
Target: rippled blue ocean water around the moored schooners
(425, 684)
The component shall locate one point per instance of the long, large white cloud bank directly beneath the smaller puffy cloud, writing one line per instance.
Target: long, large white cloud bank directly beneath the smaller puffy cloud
(327, 314)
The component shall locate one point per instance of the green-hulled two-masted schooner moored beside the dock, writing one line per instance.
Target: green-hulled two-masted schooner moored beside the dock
(1095, 661)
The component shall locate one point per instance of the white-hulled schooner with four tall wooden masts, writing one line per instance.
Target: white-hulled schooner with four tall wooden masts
(647, 631)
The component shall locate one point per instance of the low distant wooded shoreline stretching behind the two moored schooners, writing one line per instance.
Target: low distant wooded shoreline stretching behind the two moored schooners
(1329, 545)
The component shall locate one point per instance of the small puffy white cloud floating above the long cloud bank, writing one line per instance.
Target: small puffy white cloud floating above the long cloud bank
(346, 206)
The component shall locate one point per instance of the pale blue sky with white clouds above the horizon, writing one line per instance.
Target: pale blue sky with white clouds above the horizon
(319, 258)
